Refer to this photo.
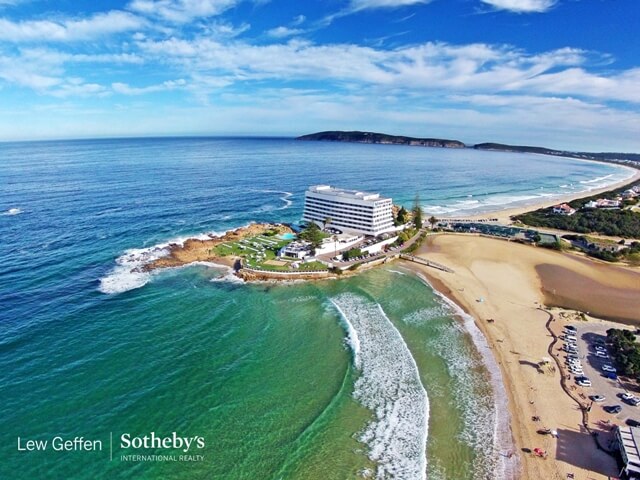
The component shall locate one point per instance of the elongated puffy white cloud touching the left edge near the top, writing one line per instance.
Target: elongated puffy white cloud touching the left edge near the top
(98, 25)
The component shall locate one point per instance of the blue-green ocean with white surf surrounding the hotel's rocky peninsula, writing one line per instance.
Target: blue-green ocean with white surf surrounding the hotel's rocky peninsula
(374, 376)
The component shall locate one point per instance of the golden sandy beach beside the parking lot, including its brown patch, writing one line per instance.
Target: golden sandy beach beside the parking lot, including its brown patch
(504, 286)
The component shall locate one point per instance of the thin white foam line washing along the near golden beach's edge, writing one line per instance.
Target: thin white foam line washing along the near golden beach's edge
(502, 441)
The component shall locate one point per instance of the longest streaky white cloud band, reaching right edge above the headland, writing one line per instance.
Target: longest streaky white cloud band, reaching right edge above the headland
(417, 68)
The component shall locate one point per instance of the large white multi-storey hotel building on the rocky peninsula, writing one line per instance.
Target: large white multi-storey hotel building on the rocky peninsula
(349, 210)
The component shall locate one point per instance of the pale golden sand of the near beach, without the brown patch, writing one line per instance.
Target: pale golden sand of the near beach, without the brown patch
(497, 284)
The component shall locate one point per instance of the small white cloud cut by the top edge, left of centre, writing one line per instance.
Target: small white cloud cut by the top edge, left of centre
(182, 11)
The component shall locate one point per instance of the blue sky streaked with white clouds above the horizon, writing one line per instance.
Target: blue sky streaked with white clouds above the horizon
(556, 73)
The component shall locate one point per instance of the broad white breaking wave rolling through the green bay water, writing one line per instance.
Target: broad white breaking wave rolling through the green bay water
(389, 385)
